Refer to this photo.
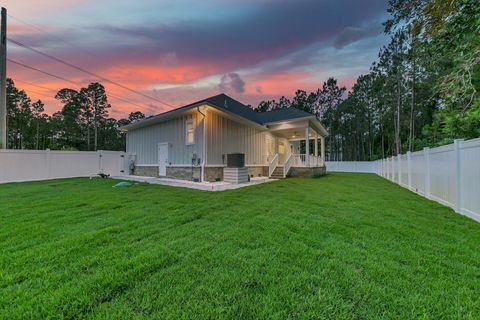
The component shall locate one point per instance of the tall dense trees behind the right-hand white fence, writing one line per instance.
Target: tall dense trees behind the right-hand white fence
(423, 90)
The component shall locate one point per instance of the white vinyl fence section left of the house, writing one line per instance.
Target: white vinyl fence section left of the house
(29, 165)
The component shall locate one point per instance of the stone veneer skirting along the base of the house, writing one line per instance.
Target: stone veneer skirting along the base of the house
(186, 173)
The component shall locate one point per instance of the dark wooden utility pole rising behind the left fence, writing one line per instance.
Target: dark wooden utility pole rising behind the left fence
(3, 80)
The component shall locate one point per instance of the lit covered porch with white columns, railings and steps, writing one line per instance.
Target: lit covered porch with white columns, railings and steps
(299, 149)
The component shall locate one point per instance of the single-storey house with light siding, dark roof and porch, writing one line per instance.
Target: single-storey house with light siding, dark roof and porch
(191, 142)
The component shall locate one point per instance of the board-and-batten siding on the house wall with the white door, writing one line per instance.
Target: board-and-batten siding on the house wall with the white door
(143, 142)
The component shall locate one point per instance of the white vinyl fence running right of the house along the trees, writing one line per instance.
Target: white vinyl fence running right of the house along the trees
(448, 174)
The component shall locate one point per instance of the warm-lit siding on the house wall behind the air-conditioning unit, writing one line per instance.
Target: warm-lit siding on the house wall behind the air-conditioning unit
(228, 136)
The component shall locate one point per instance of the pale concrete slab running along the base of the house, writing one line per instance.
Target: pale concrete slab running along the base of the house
(207, 186)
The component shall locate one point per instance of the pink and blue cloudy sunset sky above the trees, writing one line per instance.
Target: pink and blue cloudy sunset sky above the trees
(185, 50)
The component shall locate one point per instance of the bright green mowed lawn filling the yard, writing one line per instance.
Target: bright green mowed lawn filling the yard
(343, 246)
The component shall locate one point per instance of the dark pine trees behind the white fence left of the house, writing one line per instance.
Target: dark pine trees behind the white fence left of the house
(82, 124)
